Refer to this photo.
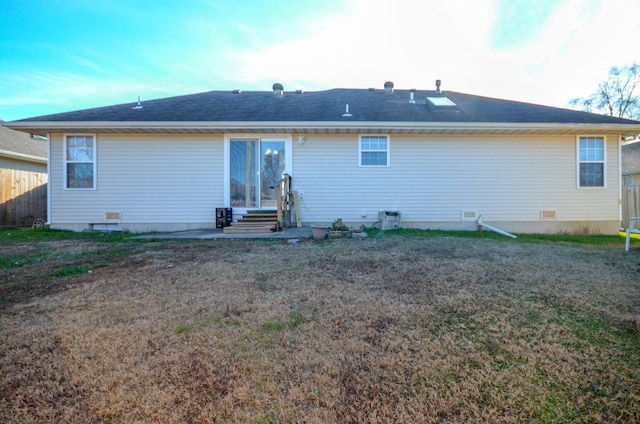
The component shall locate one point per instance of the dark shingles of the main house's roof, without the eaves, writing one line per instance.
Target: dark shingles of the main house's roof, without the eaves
(365, 105)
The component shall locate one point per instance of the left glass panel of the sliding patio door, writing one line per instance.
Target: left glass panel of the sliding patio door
(244, 165)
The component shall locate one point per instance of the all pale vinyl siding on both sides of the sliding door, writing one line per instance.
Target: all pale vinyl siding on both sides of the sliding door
(160, 182)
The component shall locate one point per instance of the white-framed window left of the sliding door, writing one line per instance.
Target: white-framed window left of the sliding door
(80, 162)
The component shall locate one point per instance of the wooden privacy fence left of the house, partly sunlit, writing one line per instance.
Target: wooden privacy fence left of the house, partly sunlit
(23, 197)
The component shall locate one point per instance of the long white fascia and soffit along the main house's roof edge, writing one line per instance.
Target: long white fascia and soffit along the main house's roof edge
(622, 129)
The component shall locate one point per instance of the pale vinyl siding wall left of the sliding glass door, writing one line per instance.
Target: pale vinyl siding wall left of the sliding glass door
(149, 179)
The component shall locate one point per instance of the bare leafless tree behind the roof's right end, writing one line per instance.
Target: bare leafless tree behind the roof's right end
(618, 96)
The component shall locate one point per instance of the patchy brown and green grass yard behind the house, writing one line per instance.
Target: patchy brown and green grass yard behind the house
(411, 327)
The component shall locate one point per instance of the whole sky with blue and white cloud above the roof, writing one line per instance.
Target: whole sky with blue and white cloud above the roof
(63, 55)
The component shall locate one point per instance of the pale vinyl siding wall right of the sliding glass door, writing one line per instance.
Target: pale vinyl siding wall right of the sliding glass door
(432, 179)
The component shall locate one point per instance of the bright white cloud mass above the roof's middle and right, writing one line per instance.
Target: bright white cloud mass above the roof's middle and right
(413, 43)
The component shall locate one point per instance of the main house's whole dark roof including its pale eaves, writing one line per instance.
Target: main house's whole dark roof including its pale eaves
(325, 111)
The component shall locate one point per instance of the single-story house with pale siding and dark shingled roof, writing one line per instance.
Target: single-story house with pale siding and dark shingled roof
(440, 158)
